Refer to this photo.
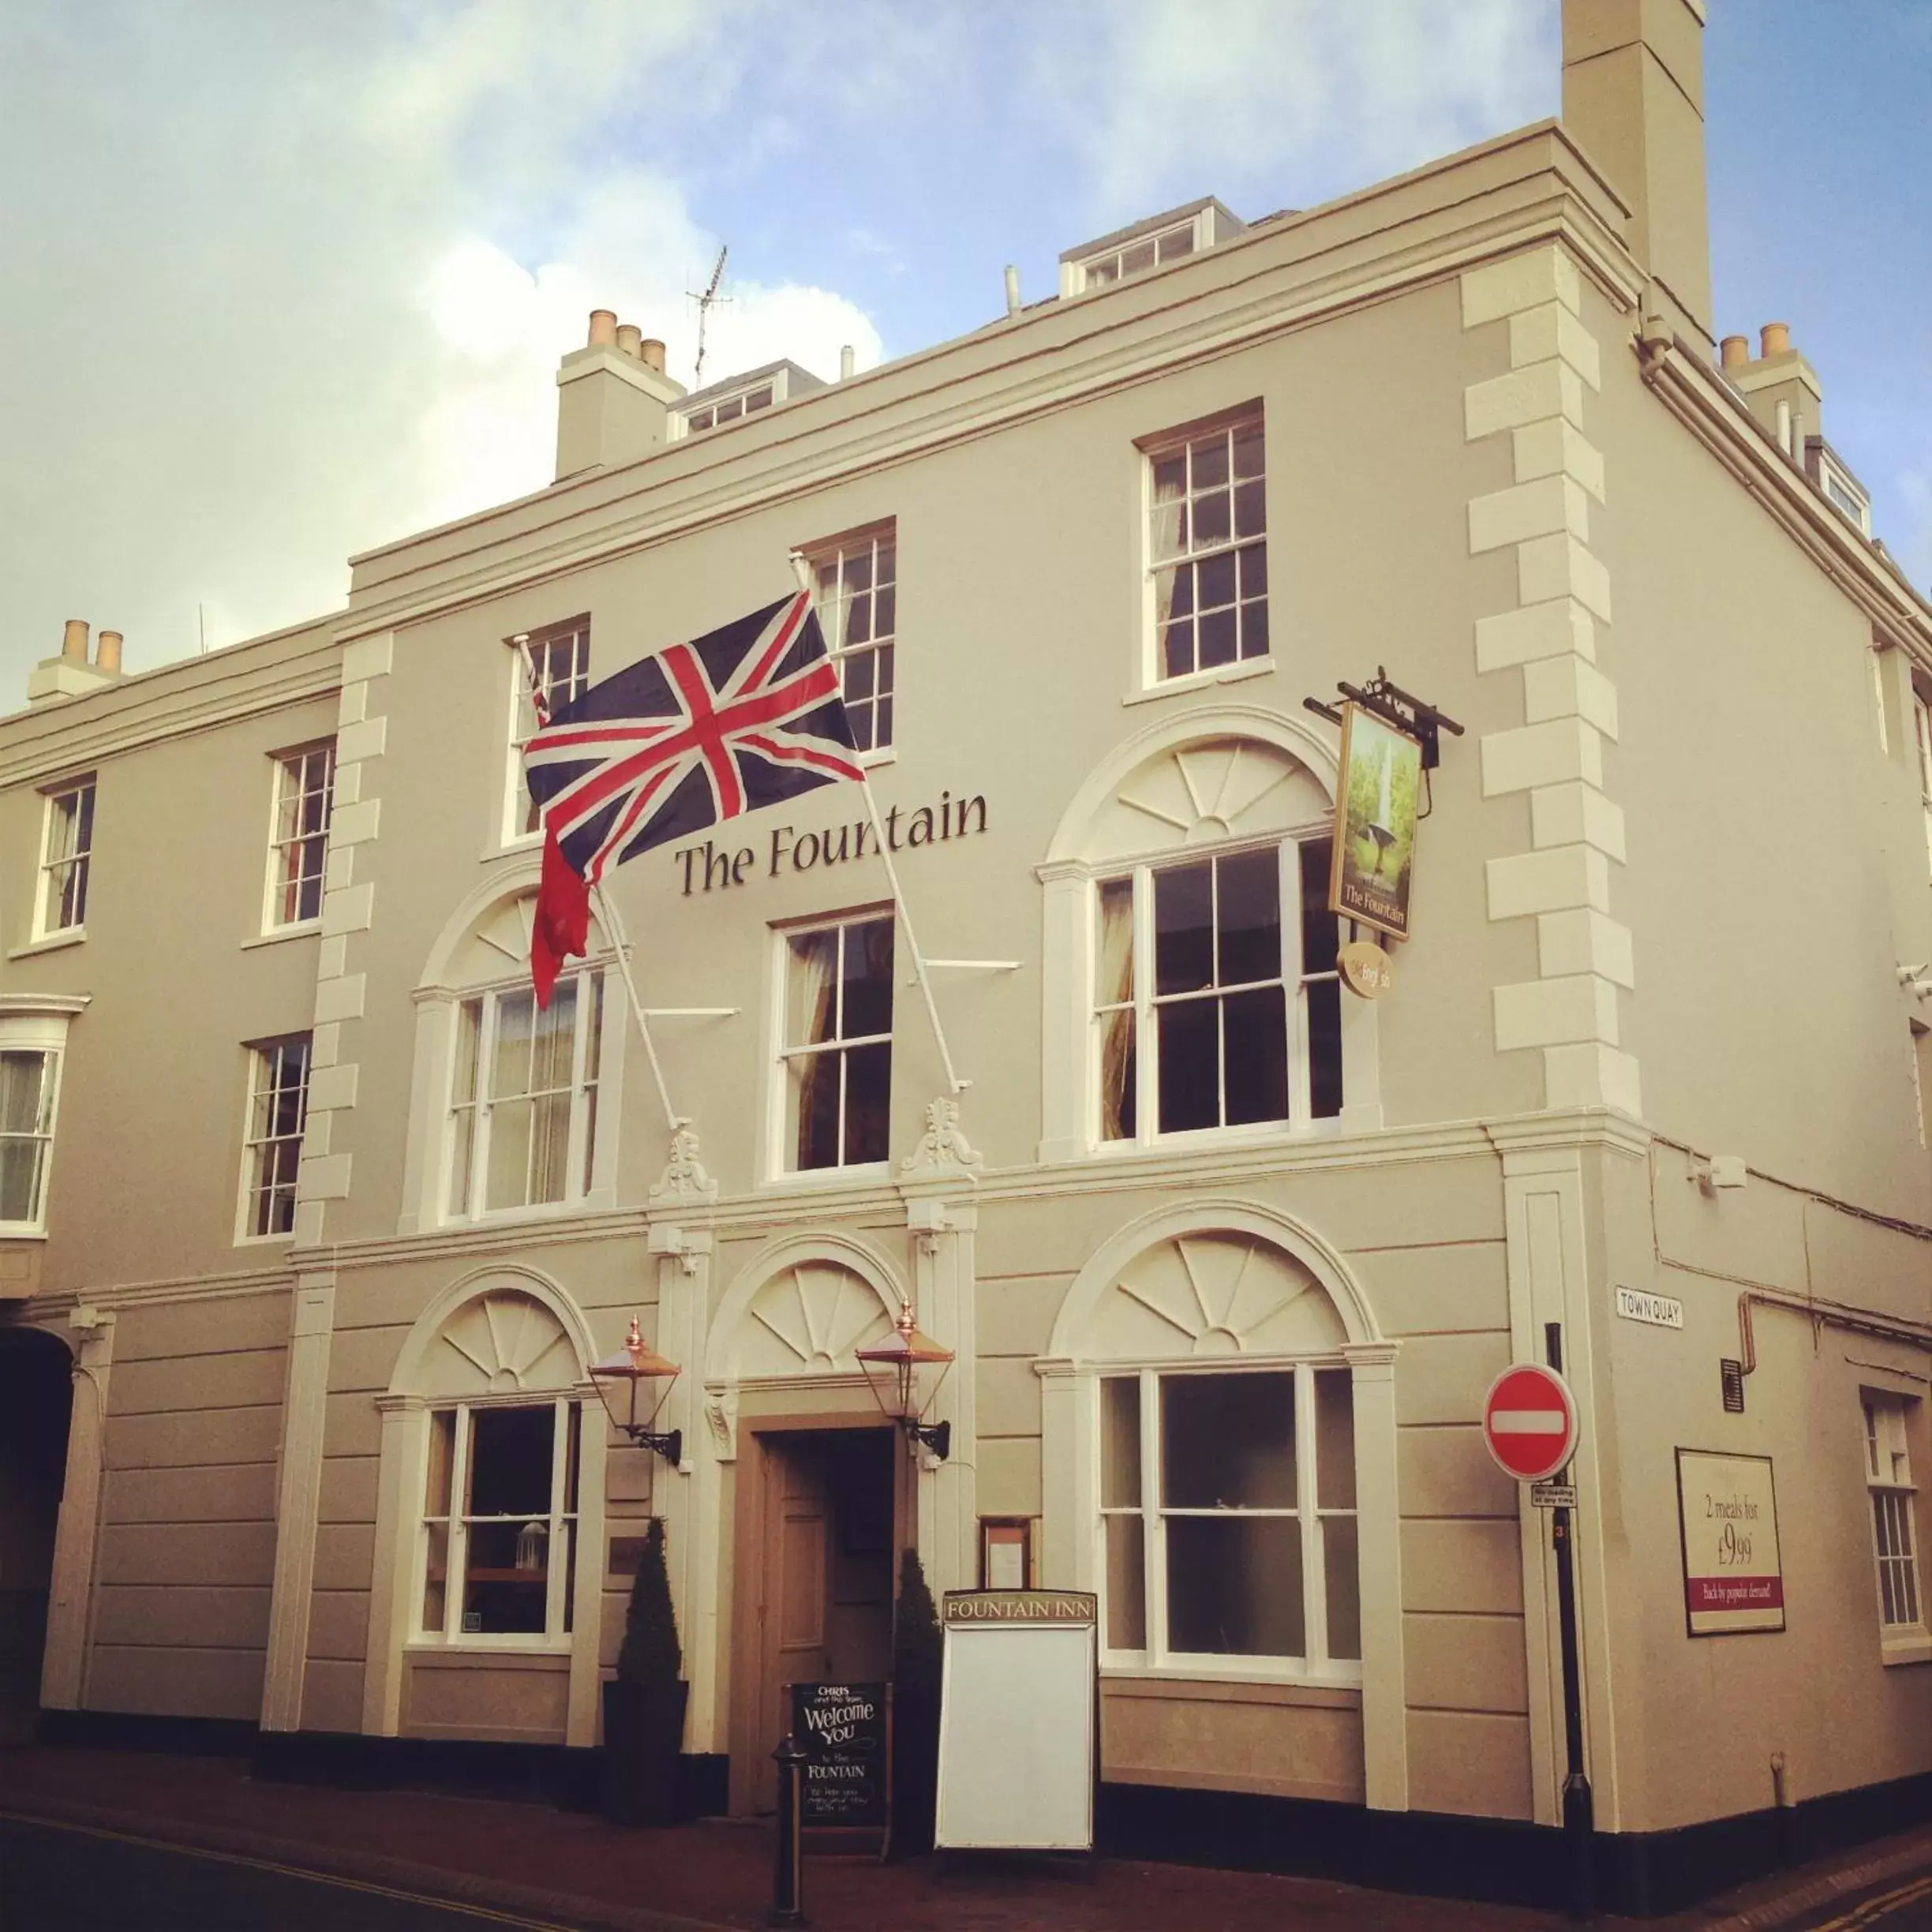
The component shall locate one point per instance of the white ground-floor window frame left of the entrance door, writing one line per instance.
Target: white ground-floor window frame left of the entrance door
(557, 1635)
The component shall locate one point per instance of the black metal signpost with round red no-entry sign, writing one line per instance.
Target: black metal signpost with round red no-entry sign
(1529, 1425)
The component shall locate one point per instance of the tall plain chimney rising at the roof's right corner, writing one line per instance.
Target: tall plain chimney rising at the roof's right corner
(1634, 99)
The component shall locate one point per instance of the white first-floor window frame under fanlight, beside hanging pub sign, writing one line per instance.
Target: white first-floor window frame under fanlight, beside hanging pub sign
(1301, 1118)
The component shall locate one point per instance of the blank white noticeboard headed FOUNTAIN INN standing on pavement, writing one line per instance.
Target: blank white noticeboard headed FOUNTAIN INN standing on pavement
(1017, 1747)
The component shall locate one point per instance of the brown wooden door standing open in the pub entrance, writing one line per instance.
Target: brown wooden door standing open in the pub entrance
(791, 1595)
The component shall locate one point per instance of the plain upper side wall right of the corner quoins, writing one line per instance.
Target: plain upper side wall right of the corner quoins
(1763, 832)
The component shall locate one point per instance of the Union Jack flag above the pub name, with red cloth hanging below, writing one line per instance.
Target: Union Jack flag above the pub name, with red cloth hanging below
(673, 745)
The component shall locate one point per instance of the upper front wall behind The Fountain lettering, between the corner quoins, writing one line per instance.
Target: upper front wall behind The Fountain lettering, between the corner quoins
(1021, 644)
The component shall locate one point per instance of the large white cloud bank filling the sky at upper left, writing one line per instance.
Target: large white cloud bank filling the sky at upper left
(281, 285)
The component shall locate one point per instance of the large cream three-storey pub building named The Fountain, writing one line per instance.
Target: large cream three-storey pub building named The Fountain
(331, 1220)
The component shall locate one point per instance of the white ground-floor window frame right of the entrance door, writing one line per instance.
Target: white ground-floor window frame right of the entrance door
(1313, 1668)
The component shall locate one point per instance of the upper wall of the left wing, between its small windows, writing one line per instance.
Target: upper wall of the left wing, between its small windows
(175, 899)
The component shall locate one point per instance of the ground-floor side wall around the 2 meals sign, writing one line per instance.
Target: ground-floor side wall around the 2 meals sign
(1701, 1719)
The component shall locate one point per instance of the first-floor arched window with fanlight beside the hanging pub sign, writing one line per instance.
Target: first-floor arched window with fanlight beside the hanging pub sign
(1191, 955)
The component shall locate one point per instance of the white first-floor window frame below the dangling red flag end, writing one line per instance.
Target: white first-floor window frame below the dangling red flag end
(579, 1197)
